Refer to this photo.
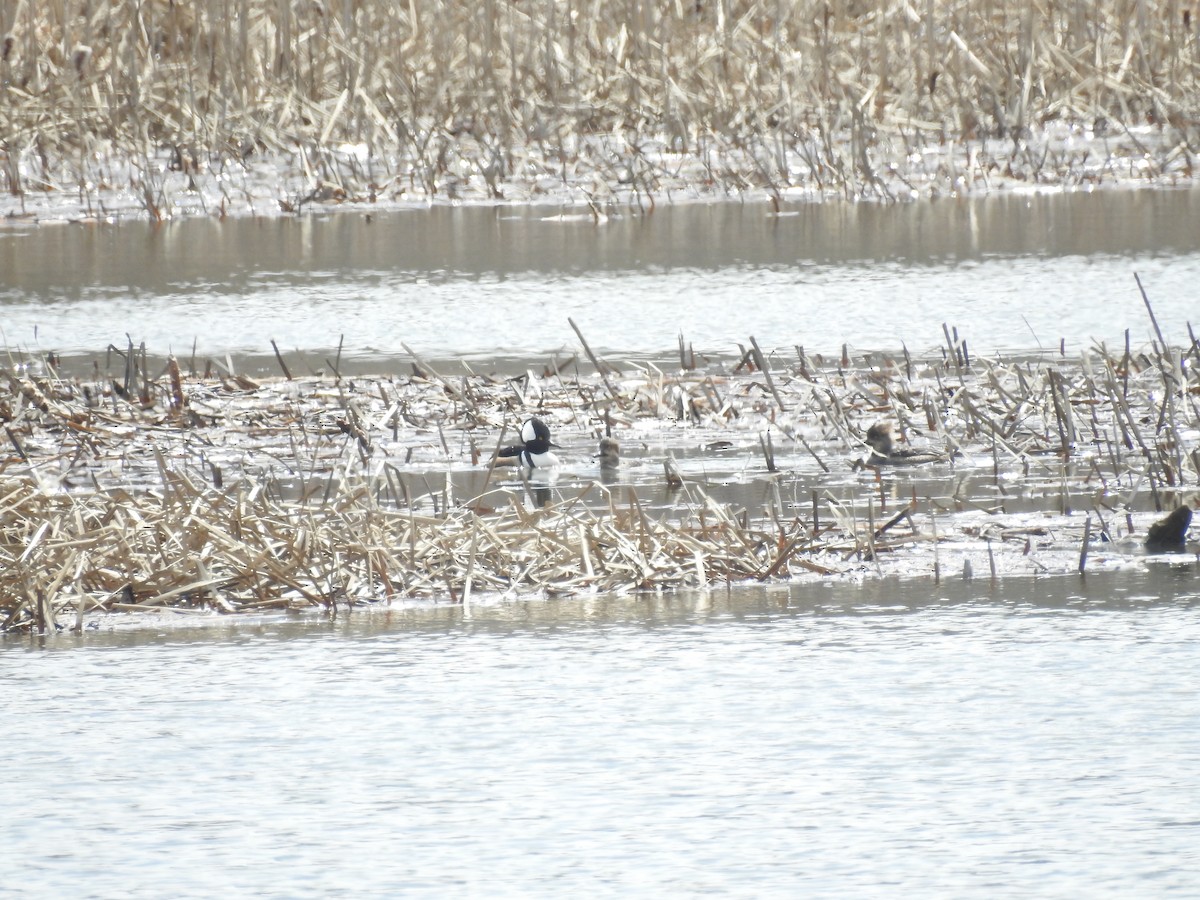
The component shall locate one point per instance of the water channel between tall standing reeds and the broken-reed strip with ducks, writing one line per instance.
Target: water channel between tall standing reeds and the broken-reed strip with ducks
(479, 284)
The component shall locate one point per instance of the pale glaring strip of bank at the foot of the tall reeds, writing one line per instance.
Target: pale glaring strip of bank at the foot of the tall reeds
(281, 187)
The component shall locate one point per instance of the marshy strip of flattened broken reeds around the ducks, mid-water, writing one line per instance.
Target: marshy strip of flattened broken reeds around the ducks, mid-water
(142, 491)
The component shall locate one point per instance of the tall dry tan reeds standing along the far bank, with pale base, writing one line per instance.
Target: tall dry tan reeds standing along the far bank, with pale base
(182, 104)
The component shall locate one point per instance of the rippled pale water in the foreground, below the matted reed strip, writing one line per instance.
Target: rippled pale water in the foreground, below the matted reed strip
(883, 741)
